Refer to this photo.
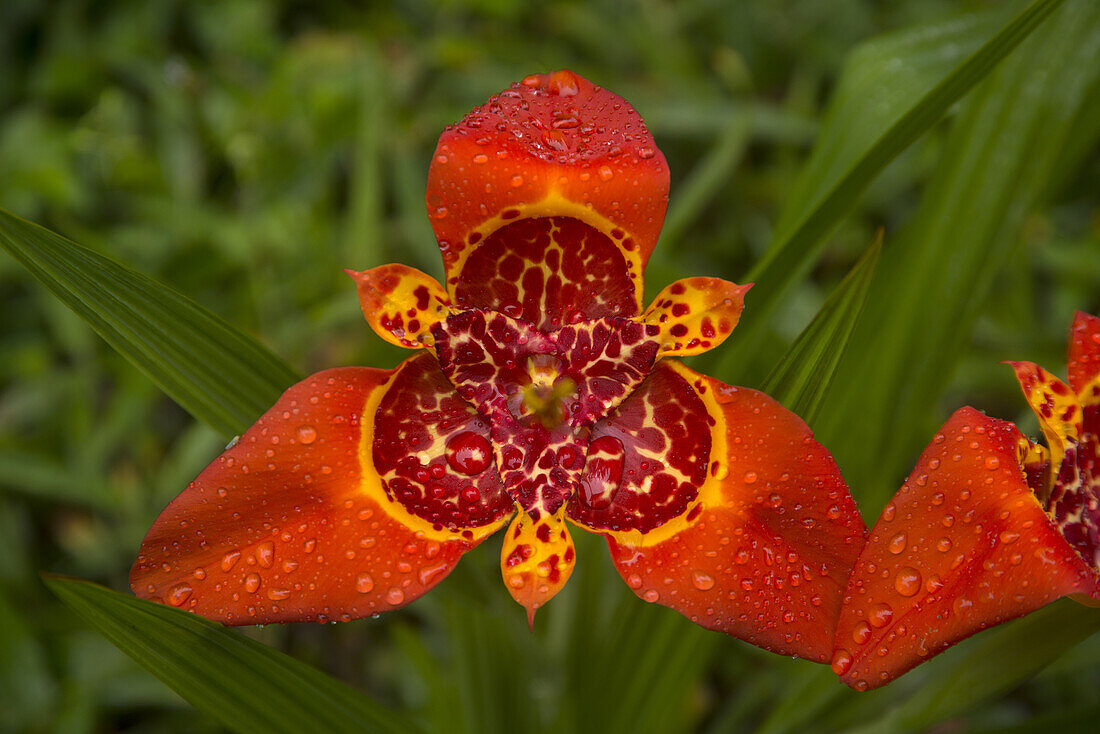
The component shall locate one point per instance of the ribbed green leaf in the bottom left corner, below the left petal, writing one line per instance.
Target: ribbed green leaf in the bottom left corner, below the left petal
(245, 685)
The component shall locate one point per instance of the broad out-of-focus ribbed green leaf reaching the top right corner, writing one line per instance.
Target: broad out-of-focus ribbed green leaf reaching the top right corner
(937, 278)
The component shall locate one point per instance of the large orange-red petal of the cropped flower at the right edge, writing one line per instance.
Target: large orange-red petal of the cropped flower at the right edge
(963, 546)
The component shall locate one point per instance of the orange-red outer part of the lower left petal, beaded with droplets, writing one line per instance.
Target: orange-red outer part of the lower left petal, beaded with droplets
(292, 523)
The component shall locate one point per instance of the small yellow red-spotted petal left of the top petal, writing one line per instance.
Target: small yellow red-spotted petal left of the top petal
(402, 304)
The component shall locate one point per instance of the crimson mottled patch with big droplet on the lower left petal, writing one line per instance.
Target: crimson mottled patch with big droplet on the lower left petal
(417, 418)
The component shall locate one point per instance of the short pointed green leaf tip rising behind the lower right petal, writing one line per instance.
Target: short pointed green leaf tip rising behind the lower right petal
(802, 377)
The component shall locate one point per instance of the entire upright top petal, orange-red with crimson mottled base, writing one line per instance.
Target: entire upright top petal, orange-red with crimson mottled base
(552, 147)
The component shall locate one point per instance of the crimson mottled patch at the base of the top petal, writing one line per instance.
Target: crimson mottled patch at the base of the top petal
(520, 270)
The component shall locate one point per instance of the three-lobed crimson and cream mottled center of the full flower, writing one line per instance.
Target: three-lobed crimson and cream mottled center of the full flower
(542, 392)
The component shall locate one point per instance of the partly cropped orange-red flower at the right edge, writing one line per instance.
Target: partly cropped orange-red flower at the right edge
(989, 527)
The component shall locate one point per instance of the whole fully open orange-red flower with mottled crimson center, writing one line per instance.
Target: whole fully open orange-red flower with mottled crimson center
(543, 396)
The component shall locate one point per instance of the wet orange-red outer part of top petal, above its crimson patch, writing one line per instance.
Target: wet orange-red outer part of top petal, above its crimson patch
(553, 146)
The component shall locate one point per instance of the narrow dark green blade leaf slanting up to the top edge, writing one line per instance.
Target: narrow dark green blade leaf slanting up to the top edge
(797, 247)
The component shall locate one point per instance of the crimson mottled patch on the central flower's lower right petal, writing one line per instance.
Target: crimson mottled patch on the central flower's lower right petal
(666, 439)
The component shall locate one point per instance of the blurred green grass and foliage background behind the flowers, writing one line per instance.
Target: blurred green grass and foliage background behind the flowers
(245, 152)
